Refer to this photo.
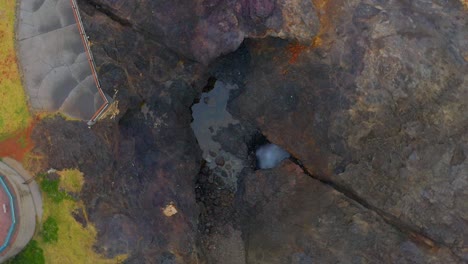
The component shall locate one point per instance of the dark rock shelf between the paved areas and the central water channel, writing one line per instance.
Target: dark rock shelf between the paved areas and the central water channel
(144, 159)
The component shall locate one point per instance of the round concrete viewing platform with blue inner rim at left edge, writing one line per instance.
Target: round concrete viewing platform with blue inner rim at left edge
(20, 207)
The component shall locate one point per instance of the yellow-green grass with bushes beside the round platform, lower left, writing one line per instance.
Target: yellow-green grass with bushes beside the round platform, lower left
(61, 237)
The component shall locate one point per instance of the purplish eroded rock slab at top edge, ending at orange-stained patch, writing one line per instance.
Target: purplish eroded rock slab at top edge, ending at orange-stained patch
(205, 29)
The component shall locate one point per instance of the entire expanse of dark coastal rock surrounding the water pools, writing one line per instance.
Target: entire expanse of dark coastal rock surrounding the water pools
(373, 113)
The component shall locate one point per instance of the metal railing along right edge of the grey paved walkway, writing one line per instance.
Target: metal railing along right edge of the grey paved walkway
(92, 64)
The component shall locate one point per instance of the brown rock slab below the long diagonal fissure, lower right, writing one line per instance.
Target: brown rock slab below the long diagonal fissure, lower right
(292, 218)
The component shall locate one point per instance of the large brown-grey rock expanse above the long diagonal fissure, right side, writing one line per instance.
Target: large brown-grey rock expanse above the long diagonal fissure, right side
(378, 108)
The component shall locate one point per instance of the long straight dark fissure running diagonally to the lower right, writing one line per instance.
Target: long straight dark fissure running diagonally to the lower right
(415, 234)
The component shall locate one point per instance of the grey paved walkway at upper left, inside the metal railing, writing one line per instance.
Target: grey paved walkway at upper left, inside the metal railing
(56, 72)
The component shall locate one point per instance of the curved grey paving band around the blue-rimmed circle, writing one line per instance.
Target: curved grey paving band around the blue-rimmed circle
(28, 203)
